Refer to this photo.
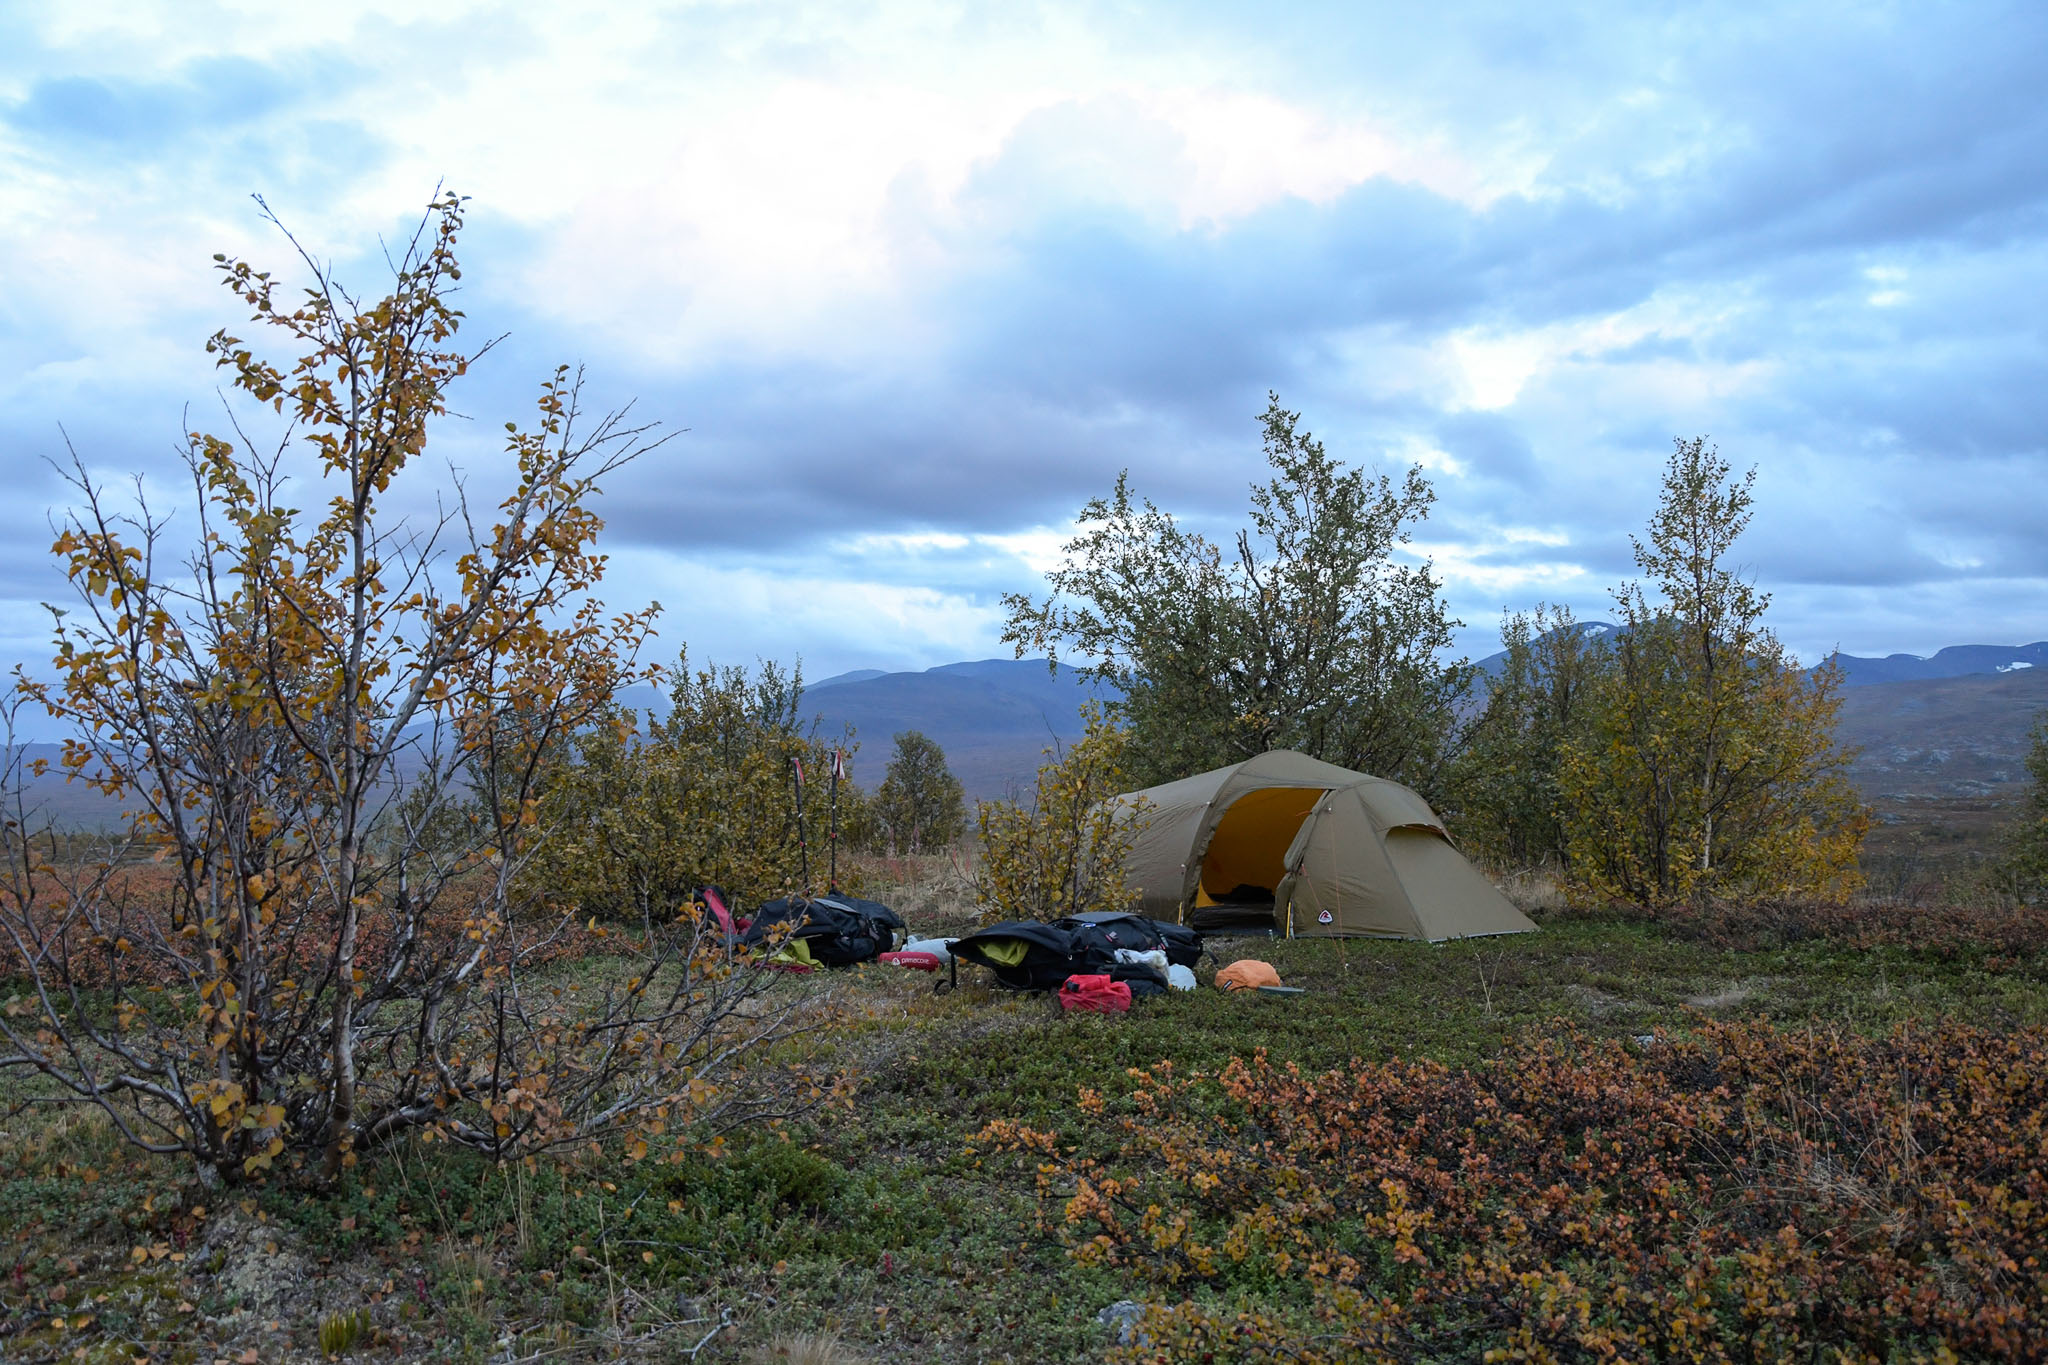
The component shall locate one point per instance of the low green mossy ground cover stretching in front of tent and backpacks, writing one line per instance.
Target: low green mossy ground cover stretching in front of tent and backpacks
(876, 1221)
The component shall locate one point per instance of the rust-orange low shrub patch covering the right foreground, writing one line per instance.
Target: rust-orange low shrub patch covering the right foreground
(1744, 1194)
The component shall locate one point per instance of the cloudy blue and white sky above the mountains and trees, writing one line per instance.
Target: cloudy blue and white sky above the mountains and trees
(919, 279)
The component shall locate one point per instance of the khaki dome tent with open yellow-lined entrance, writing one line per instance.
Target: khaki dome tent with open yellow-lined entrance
(1308, 848)
